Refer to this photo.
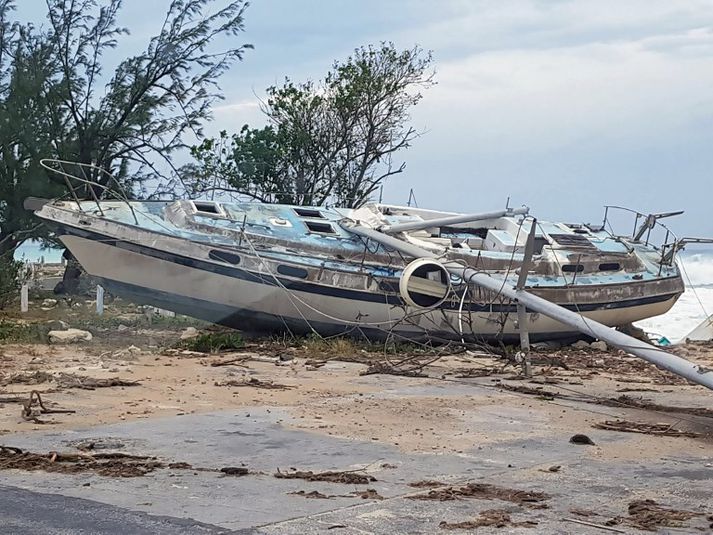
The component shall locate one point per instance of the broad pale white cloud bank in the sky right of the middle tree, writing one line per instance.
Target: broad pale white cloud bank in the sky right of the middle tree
(537, 98)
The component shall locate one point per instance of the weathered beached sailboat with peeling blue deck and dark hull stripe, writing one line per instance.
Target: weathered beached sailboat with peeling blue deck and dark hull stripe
(260, 267)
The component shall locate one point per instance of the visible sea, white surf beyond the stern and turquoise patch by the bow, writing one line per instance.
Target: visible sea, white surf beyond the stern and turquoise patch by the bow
(694, 306)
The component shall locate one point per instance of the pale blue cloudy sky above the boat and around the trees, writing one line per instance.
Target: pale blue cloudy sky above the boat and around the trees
(564, 106)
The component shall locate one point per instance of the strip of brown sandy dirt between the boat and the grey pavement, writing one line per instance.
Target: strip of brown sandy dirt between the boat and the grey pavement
(319, 392)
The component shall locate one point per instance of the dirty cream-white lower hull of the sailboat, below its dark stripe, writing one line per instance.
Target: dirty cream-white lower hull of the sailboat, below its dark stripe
(255, 306)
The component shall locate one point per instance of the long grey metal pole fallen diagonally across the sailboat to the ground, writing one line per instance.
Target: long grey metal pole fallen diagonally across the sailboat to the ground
(673, 363)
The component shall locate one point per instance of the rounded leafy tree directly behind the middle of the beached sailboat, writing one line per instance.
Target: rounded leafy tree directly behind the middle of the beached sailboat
(330, 141)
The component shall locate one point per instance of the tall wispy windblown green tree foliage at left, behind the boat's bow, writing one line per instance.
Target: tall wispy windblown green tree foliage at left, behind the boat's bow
(56, 101)
